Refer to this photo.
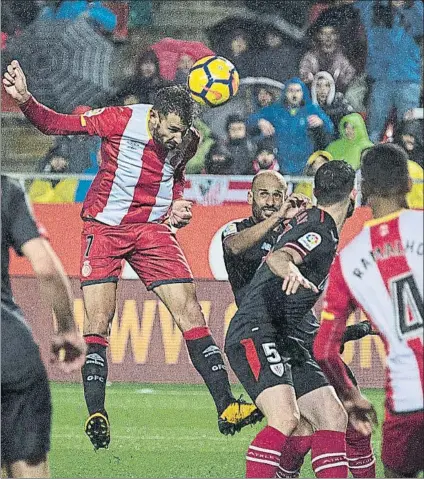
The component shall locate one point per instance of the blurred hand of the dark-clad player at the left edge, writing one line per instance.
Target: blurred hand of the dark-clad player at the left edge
(68, 350)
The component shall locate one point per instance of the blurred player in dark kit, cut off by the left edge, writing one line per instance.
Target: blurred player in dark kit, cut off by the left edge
(25, 393)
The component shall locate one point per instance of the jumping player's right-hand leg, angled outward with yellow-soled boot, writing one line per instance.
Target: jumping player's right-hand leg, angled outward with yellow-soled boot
(182, 303)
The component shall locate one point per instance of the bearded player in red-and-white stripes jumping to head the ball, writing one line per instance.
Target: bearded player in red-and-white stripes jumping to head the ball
(134, 200)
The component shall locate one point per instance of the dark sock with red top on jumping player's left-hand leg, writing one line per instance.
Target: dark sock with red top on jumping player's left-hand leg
(94, 373)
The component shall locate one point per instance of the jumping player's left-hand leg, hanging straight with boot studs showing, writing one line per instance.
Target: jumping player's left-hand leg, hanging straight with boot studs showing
(100, 305)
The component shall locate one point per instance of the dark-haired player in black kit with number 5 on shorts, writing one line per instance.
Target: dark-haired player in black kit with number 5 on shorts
(270, 311)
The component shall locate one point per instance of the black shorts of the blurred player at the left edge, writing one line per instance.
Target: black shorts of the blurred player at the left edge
(26, 421)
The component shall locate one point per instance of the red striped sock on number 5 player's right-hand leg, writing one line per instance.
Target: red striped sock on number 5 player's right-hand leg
(329, 454)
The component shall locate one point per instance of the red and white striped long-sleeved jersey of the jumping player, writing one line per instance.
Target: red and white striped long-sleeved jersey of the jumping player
(138, 178)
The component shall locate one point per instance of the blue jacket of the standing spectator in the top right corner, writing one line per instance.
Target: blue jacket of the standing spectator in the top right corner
(393, 53)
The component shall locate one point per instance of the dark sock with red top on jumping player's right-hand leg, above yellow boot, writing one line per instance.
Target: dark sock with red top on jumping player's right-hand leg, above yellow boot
(209, 363)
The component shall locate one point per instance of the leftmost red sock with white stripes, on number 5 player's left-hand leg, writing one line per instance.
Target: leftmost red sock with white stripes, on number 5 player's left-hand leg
(263, 455)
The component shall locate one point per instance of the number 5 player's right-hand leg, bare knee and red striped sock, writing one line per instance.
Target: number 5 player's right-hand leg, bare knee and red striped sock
(324, 411)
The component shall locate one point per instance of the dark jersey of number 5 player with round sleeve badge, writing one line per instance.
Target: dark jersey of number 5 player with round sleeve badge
(313, 234)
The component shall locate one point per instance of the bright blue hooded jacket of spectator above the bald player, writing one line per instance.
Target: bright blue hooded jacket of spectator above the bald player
(294, 139)
